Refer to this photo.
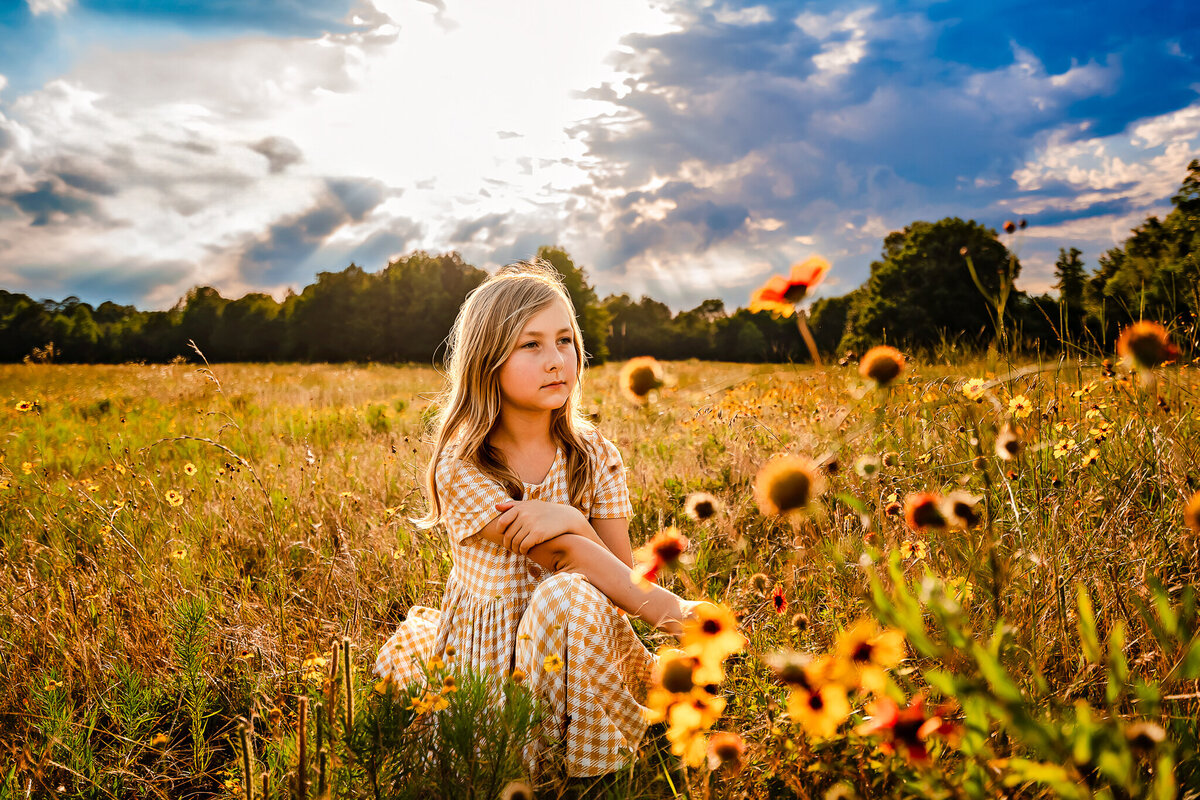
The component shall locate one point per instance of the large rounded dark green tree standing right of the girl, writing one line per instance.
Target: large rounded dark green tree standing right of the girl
(922, 292)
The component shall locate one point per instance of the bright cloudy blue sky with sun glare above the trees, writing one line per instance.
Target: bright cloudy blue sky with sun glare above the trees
(682, 151)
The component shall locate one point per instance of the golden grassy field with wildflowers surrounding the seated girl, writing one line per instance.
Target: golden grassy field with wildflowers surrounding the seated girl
(183, 546)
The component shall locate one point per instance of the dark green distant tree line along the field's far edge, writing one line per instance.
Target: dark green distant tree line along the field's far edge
(920, 296)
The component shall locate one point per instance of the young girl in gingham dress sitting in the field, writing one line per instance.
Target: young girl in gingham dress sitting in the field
(537, 509)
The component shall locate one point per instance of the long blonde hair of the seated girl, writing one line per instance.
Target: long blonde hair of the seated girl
(483, 338)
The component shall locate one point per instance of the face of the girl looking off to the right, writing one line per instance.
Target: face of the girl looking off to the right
(543, 370)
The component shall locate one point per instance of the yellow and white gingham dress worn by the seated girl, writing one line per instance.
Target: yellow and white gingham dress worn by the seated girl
(500, 613)
